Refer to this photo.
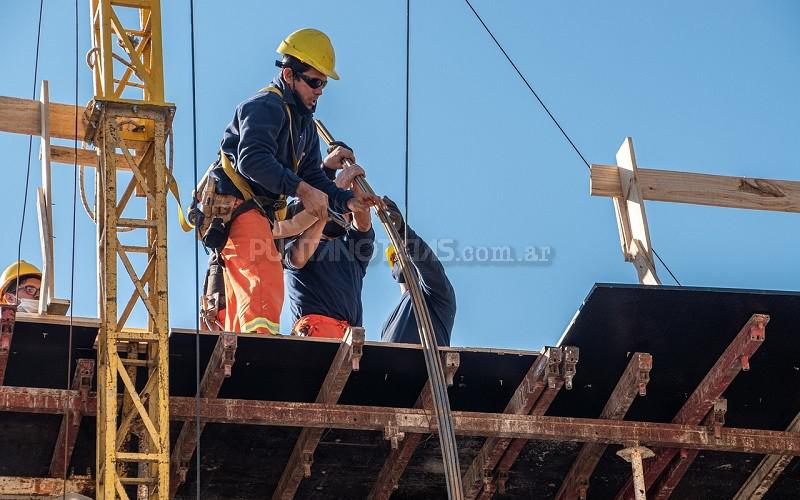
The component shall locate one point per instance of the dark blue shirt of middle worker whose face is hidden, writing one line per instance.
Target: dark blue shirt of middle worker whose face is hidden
(330, 283)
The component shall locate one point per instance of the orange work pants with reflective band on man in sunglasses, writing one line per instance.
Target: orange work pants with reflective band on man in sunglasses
(253, 276)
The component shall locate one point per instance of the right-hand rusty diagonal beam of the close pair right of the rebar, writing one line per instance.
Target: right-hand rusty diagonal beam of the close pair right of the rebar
(566, 373)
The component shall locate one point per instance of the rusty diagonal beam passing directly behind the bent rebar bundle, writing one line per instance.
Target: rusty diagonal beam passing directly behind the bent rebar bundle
(399, 456)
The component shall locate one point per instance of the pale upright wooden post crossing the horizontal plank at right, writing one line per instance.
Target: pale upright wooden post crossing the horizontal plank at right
(631, 217)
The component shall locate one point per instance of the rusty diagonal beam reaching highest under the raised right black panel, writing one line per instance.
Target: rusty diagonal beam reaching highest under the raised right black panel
(734, 359)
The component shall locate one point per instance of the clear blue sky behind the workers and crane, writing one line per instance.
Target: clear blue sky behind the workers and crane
(702, 87)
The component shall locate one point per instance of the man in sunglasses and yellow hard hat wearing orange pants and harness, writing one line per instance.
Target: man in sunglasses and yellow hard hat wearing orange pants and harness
(270, 150)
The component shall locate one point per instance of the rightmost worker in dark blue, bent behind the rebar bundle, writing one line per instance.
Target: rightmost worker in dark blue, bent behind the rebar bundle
(401, 326)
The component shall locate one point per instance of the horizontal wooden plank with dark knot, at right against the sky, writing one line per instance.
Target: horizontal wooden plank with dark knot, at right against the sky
(750, 193)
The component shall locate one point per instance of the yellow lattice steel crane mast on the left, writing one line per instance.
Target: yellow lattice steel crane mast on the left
(129, 114)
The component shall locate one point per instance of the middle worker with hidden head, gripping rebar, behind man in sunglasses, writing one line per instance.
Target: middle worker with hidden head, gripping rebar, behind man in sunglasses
(324, 288)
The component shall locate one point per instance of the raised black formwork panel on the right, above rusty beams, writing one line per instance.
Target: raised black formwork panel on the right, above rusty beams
(685, 330)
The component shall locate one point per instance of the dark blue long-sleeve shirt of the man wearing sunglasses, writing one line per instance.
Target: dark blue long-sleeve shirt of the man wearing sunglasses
(257, 142)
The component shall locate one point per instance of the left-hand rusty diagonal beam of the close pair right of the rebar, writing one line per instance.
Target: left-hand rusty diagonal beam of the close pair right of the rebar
(543, 371)
